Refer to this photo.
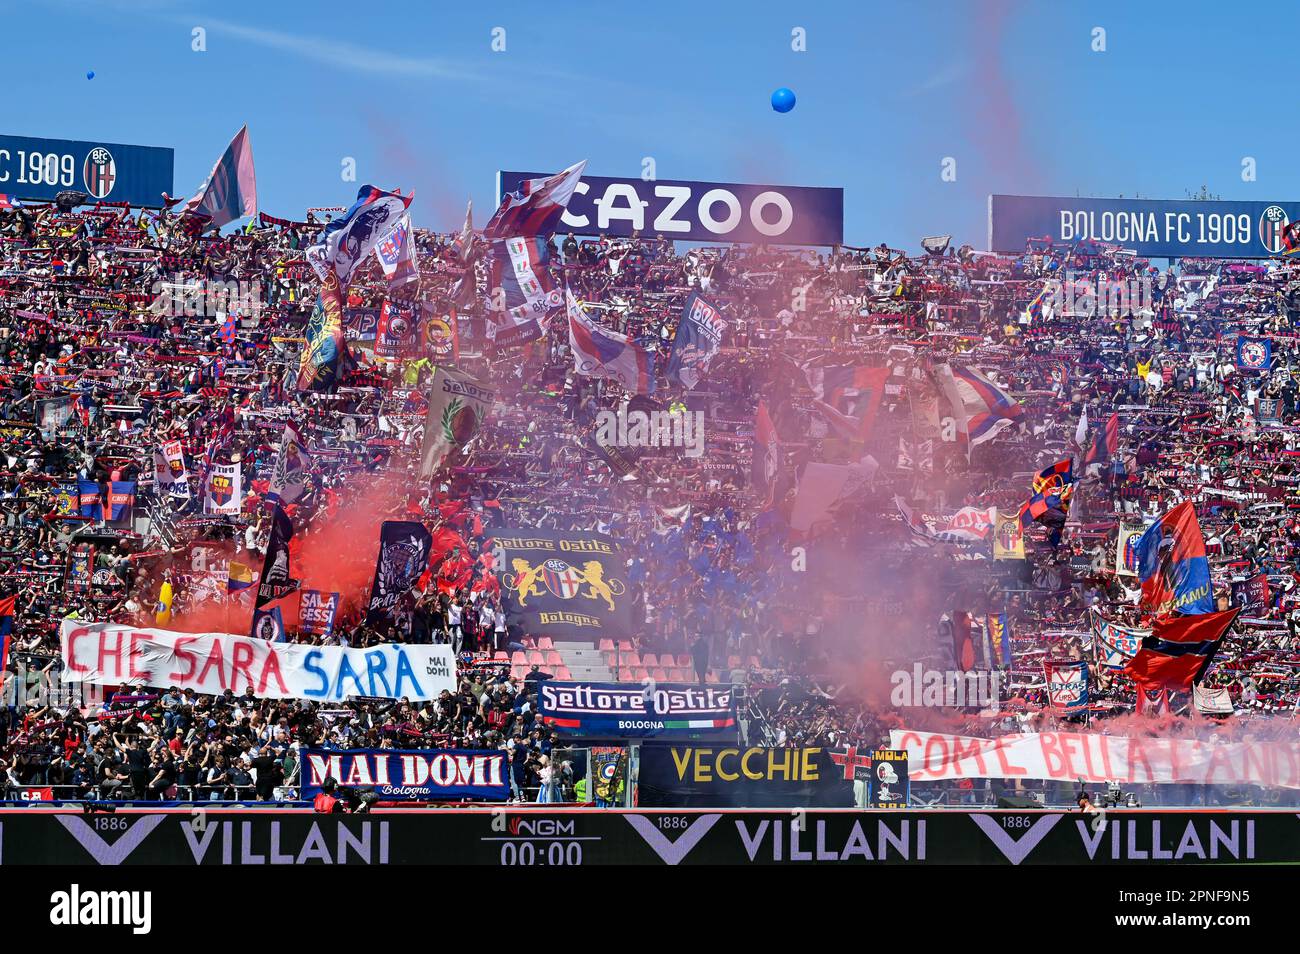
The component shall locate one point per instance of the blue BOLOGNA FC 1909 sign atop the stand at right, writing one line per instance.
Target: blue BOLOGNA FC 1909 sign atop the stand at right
(1152, 228)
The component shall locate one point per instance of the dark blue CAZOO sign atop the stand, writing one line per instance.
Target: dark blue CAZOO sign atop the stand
(699, 211)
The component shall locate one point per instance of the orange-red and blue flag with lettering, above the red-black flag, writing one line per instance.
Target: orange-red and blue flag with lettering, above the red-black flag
(1176, 575)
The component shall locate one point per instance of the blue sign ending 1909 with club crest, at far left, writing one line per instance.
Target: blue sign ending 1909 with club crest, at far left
(106, 172)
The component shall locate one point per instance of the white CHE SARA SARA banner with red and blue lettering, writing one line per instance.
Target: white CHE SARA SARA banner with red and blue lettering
(210, 664)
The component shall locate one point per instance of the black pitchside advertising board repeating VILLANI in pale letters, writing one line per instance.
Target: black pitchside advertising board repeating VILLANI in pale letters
(566, 838)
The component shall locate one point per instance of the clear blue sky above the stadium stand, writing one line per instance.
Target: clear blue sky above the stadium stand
(414, 93)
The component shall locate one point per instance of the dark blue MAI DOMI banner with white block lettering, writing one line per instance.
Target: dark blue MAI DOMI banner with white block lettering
(417, 775)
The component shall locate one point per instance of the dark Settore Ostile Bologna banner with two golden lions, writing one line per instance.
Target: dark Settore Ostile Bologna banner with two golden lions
(565, 583)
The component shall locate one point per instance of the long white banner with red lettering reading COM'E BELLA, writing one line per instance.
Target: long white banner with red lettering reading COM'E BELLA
(1071, 757)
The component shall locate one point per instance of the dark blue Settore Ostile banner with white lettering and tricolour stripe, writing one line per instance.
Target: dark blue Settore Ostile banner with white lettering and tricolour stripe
(618, 710)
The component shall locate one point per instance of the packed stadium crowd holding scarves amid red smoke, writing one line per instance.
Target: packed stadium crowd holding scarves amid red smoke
(123, 329)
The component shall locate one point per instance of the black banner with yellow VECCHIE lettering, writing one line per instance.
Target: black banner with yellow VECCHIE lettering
(710, 778)
